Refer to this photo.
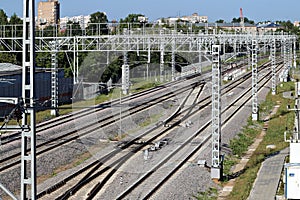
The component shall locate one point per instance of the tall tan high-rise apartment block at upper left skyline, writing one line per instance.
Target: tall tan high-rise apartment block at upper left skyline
(48, 13)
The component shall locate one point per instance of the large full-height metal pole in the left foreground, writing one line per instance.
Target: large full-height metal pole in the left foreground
(28, 138)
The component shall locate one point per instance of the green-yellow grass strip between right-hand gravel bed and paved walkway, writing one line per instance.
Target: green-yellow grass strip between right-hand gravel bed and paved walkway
(274, 135)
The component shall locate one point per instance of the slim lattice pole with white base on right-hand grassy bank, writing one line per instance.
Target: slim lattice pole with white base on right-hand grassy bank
(254, 81)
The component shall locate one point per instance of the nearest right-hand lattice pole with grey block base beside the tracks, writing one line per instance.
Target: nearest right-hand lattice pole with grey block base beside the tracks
(216, 170)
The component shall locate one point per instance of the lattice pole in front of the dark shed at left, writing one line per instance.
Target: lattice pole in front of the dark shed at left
(54, 80)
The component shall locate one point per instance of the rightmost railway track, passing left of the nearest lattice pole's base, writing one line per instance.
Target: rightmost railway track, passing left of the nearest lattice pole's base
(243, 99)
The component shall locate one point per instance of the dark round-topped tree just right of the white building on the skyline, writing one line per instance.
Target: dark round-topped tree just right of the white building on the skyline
(98, 24)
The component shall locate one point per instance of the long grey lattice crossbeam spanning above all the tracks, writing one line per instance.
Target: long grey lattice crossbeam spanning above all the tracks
(185, 43)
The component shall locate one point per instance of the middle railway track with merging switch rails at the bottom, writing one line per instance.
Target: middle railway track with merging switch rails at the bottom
(91, 175)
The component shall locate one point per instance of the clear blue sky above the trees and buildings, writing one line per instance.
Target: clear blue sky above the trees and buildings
(257, 10)
